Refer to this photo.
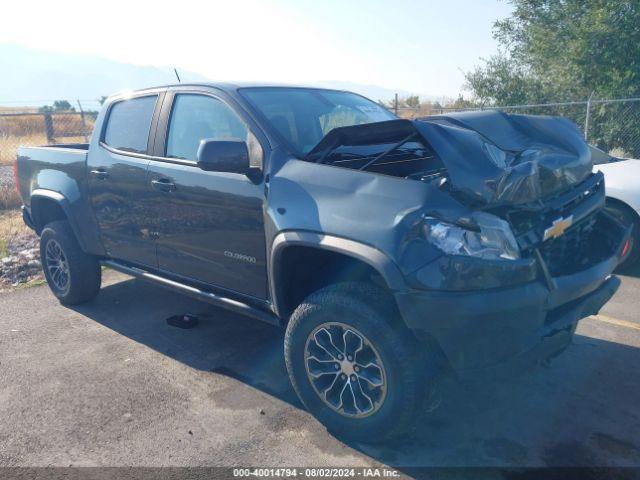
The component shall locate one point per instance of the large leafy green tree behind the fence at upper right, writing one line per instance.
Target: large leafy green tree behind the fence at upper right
(560, 50)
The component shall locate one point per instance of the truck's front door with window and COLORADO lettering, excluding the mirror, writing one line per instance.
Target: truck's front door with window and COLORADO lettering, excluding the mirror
(210, 225)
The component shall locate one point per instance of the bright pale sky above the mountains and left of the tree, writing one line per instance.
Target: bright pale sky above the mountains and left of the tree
(417, 46)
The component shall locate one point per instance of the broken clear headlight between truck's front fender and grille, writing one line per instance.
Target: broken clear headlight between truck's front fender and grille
(491, 237)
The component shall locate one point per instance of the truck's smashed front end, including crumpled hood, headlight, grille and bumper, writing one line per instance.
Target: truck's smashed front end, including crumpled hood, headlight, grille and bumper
(522, 248)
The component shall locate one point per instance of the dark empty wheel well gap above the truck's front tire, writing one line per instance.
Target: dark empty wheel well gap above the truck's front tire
(303, 270)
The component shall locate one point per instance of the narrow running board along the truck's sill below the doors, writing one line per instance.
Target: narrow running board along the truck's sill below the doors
(209, 297)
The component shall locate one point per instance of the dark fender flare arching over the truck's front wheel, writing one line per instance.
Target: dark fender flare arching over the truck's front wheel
(368, 254)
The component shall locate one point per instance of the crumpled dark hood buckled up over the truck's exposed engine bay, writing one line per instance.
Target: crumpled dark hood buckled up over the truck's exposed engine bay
(485, 158)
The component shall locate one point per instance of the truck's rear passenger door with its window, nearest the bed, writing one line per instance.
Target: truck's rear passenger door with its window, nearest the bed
(118, 185)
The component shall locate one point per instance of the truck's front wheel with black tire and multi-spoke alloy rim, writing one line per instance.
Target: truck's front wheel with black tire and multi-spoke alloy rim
(356, 370)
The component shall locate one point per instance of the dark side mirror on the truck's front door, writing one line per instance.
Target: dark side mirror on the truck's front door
(230, 156)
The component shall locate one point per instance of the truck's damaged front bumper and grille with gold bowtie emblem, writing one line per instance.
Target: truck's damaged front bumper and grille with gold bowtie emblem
(486, 312)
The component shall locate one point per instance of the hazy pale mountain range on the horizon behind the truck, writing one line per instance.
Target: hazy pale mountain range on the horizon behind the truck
(32, 77)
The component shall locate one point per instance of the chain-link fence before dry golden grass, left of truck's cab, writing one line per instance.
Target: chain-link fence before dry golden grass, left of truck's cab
(41, 127)
